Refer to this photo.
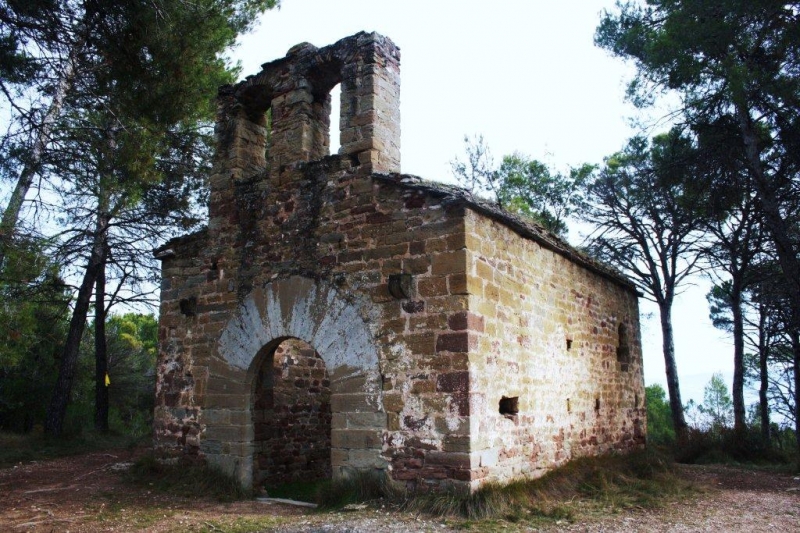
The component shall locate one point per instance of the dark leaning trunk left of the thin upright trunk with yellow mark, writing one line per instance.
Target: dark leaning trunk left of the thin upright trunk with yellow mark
(57, 410)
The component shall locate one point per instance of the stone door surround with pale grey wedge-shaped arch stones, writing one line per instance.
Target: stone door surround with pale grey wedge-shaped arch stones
(339, 327)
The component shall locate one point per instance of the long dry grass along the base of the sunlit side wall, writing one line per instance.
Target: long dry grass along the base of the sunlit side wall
(644, 479)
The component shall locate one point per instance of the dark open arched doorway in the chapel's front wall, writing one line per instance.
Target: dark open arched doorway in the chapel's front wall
(291, 415)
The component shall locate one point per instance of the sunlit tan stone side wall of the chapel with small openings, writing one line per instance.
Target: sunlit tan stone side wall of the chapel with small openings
(546, 332)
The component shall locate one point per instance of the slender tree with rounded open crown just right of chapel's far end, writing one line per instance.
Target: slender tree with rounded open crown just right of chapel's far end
(646, 208)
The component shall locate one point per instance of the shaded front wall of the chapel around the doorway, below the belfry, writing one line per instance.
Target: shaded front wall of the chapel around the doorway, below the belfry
(336, 228)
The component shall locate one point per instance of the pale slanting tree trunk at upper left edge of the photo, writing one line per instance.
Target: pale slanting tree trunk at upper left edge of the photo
(34, 159)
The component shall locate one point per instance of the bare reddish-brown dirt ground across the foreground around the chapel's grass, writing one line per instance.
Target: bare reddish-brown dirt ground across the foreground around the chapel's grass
(87, 494)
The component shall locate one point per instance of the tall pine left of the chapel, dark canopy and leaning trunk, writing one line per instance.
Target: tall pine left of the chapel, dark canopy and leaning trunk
(105, 100)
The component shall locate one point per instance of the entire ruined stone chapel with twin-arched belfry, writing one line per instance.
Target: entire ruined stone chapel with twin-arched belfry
(336, 315)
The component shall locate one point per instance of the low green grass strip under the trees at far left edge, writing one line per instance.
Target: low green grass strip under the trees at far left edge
(35, 446)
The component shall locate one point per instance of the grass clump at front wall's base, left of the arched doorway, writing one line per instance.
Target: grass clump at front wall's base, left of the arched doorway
(188, 479)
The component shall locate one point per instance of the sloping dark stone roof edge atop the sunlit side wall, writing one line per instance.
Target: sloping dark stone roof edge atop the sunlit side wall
(525, 228)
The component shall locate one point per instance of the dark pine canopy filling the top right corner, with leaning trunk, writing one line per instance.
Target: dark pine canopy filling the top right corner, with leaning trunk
(736, 66)
